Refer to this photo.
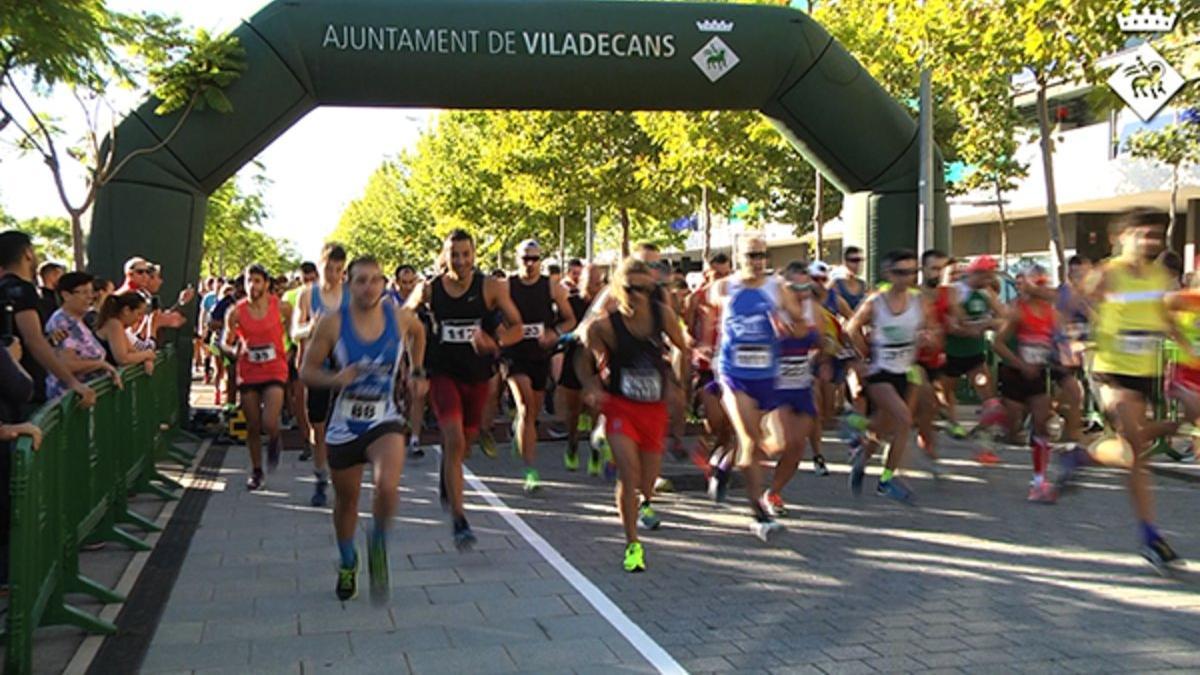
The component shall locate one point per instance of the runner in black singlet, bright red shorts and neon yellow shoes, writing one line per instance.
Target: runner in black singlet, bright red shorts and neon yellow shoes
(629, 344)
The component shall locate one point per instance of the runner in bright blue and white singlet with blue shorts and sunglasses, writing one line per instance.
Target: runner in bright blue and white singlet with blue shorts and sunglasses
(748, 365)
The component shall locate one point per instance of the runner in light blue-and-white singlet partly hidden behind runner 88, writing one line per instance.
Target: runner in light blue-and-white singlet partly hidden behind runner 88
(328, 292)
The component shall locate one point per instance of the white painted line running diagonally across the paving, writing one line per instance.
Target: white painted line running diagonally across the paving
(653, 653)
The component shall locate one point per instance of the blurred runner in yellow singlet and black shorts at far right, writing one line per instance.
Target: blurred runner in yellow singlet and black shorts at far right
(1132, 321)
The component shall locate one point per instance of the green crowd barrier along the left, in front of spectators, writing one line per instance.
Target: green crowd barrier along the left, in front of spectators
(76, 489)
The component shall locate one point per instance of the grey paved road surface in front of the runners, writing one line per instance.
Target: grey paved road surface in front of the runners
(974, 580)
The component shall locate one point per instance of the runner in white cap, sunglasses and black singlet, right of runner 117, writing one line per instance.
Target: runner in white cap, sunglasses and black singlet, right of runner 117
(529, 361)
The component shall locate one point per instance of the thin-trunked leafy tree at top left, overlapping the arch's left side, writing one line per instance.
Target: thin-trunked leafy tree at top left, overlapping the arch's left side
(85, 50)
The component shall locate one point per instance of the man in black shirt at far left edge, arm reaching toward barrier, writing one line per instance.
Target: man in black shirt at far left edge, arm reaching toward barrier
(20, 319)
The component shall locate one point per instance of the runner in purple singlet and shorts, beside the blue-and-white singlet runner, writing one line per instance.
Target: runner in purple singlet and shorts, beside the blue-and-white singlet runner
(793, 421)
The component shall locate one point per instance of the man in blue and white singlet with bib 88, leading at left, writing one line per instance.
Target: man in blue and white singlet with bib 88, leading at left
(368, 337)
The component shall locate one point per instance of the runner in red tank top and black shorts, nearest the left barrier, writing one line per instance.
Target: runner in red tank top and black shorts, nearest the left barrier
(256, 331)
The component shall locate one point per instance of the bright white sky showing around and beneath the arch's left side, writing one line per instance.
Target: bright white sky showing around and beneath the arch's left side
(316, 169)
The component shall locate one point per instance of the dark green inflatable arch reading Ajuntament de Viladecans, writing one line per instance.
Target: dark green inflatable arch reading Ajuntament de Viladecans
(520, 55)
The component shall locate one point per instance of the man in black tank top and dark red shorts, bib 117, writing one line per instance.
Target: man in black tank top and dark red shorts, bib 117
(459, 300)
